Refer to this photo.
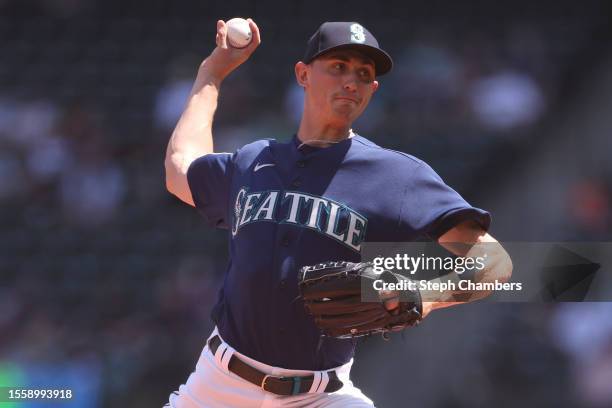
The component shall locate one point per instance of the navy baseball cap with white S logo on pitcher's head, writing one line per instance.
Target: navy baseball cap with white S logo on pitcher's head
(347, 35)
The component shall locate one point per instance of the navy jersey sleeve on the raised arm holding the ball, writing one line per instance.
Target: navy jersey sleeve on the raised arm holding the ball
(209, 179)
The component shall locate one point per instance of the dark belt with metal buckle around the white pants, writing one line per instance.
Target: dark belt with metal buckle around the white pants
(276, 385)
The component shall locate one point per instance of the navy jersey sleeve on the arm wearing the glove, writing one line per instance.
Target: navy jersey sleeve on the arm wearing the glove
(431, 208)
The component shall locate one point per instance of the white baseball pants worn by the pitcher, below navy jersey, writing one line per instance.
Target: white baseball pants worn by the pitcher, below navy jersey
(211, 385)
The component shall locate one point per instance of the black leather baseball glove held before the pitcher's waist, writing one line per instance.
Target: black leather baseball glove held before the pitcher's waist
(342, 299)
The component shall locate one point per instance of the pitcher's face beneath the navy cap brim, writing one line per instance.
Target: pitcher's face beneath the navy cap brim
(339, 85)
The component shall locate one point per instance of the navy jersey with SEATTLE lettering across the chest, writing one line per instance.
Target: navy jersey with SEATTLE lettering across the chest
(286, 205)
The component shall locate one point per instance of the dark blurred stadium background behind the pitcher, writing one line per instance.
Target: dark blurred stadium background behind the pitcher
(106, 280)
